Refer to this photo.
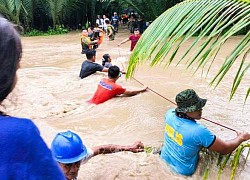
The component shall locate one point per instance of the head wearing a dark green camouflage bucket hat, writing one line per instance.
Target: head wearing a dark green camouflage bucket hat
(189, 103)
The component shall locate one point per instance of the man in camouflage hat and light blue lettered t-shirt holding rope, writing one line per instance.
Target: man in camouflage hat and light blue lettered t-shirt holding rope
(184, 137)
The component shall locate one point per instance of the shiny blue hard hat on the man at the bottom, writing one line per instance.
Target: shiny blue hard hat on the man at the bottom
(67, 147)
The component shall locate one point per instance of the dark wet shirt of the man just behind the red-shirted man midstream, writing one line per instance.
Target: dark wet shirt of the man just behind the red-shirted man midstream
(89, 68)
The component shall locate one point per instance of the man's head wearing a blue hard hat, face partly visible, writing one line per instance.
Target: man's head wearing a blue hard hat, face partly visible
(68, 150)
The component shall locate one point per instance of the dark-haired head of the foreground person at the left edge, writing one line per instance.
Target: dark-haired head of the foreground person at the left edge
(10, 55)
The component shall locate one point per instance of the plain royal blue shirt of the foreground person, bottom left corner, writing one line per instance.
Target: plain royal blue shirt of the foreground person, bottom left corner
(24, 154)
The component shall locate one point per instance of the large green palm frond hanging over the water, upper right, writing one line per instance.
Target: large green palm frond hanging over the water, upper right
(213, 22)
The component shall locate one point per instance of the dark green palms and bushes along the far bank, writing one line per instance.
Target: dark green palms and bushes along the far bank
(74, 14)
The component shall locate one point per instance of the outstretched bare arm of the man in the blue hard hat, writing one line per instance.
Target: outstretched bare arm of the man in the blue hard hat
(113, 148)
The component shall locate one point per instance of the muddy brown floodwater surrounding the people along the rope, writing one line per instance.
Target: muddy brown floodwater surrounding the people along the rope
(50, 92)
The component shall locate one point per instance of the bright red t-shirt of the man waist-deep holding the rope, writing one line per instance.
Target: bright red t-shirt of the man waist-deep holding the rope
(106, 90)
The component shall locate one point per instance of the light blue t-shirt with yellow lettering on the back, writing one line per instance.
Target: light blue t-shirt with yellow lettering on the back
(183, 139)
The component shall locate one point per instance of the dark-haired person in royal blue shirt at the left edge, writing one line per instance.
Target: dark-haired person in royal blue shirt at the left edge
(24, 154)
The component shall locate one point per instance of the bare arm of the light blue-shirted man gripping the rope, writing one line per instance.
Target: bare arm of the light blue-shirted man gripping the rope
(225, 147)
